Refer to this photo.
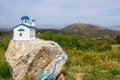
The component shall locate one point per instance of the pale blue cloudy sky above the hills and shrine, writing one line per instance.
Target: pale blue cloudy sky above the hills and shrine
(59, 13)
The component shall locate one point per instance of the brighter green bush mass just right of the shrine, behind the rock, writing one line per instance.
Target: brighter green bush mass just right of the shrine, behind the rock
(63, 40)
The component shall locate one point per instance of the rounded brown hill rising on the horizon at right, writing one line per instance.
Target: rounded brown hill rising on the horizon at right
(81, 29)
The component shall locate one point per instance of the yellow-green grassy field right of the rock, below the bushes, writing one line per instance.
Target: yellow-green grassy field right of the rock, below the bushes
(94, 65)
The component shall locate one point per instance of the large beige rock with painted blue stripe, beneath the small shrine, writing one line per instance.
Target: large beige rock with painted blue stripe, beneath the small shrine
(28, 59)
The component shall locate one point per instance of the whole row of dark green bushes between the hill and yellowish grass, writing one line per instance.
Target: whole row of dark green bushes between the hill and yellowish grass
(75, 42)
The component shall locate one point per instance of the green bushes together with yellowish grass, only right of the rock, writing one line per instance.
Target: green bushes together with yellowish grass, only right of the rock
(85, 55)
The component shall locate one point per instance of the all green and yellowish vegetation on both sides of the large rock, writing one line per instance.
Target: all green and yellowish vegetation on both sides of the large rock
(89, 58)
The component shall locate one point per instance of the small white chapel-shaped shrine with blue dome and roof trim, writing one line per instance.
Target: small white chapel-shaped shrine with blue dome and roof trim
(25, 30)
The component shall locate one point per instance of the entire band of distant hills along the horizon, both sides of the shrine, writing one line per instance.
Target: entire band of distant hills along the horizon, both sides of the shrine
(79, 29)
